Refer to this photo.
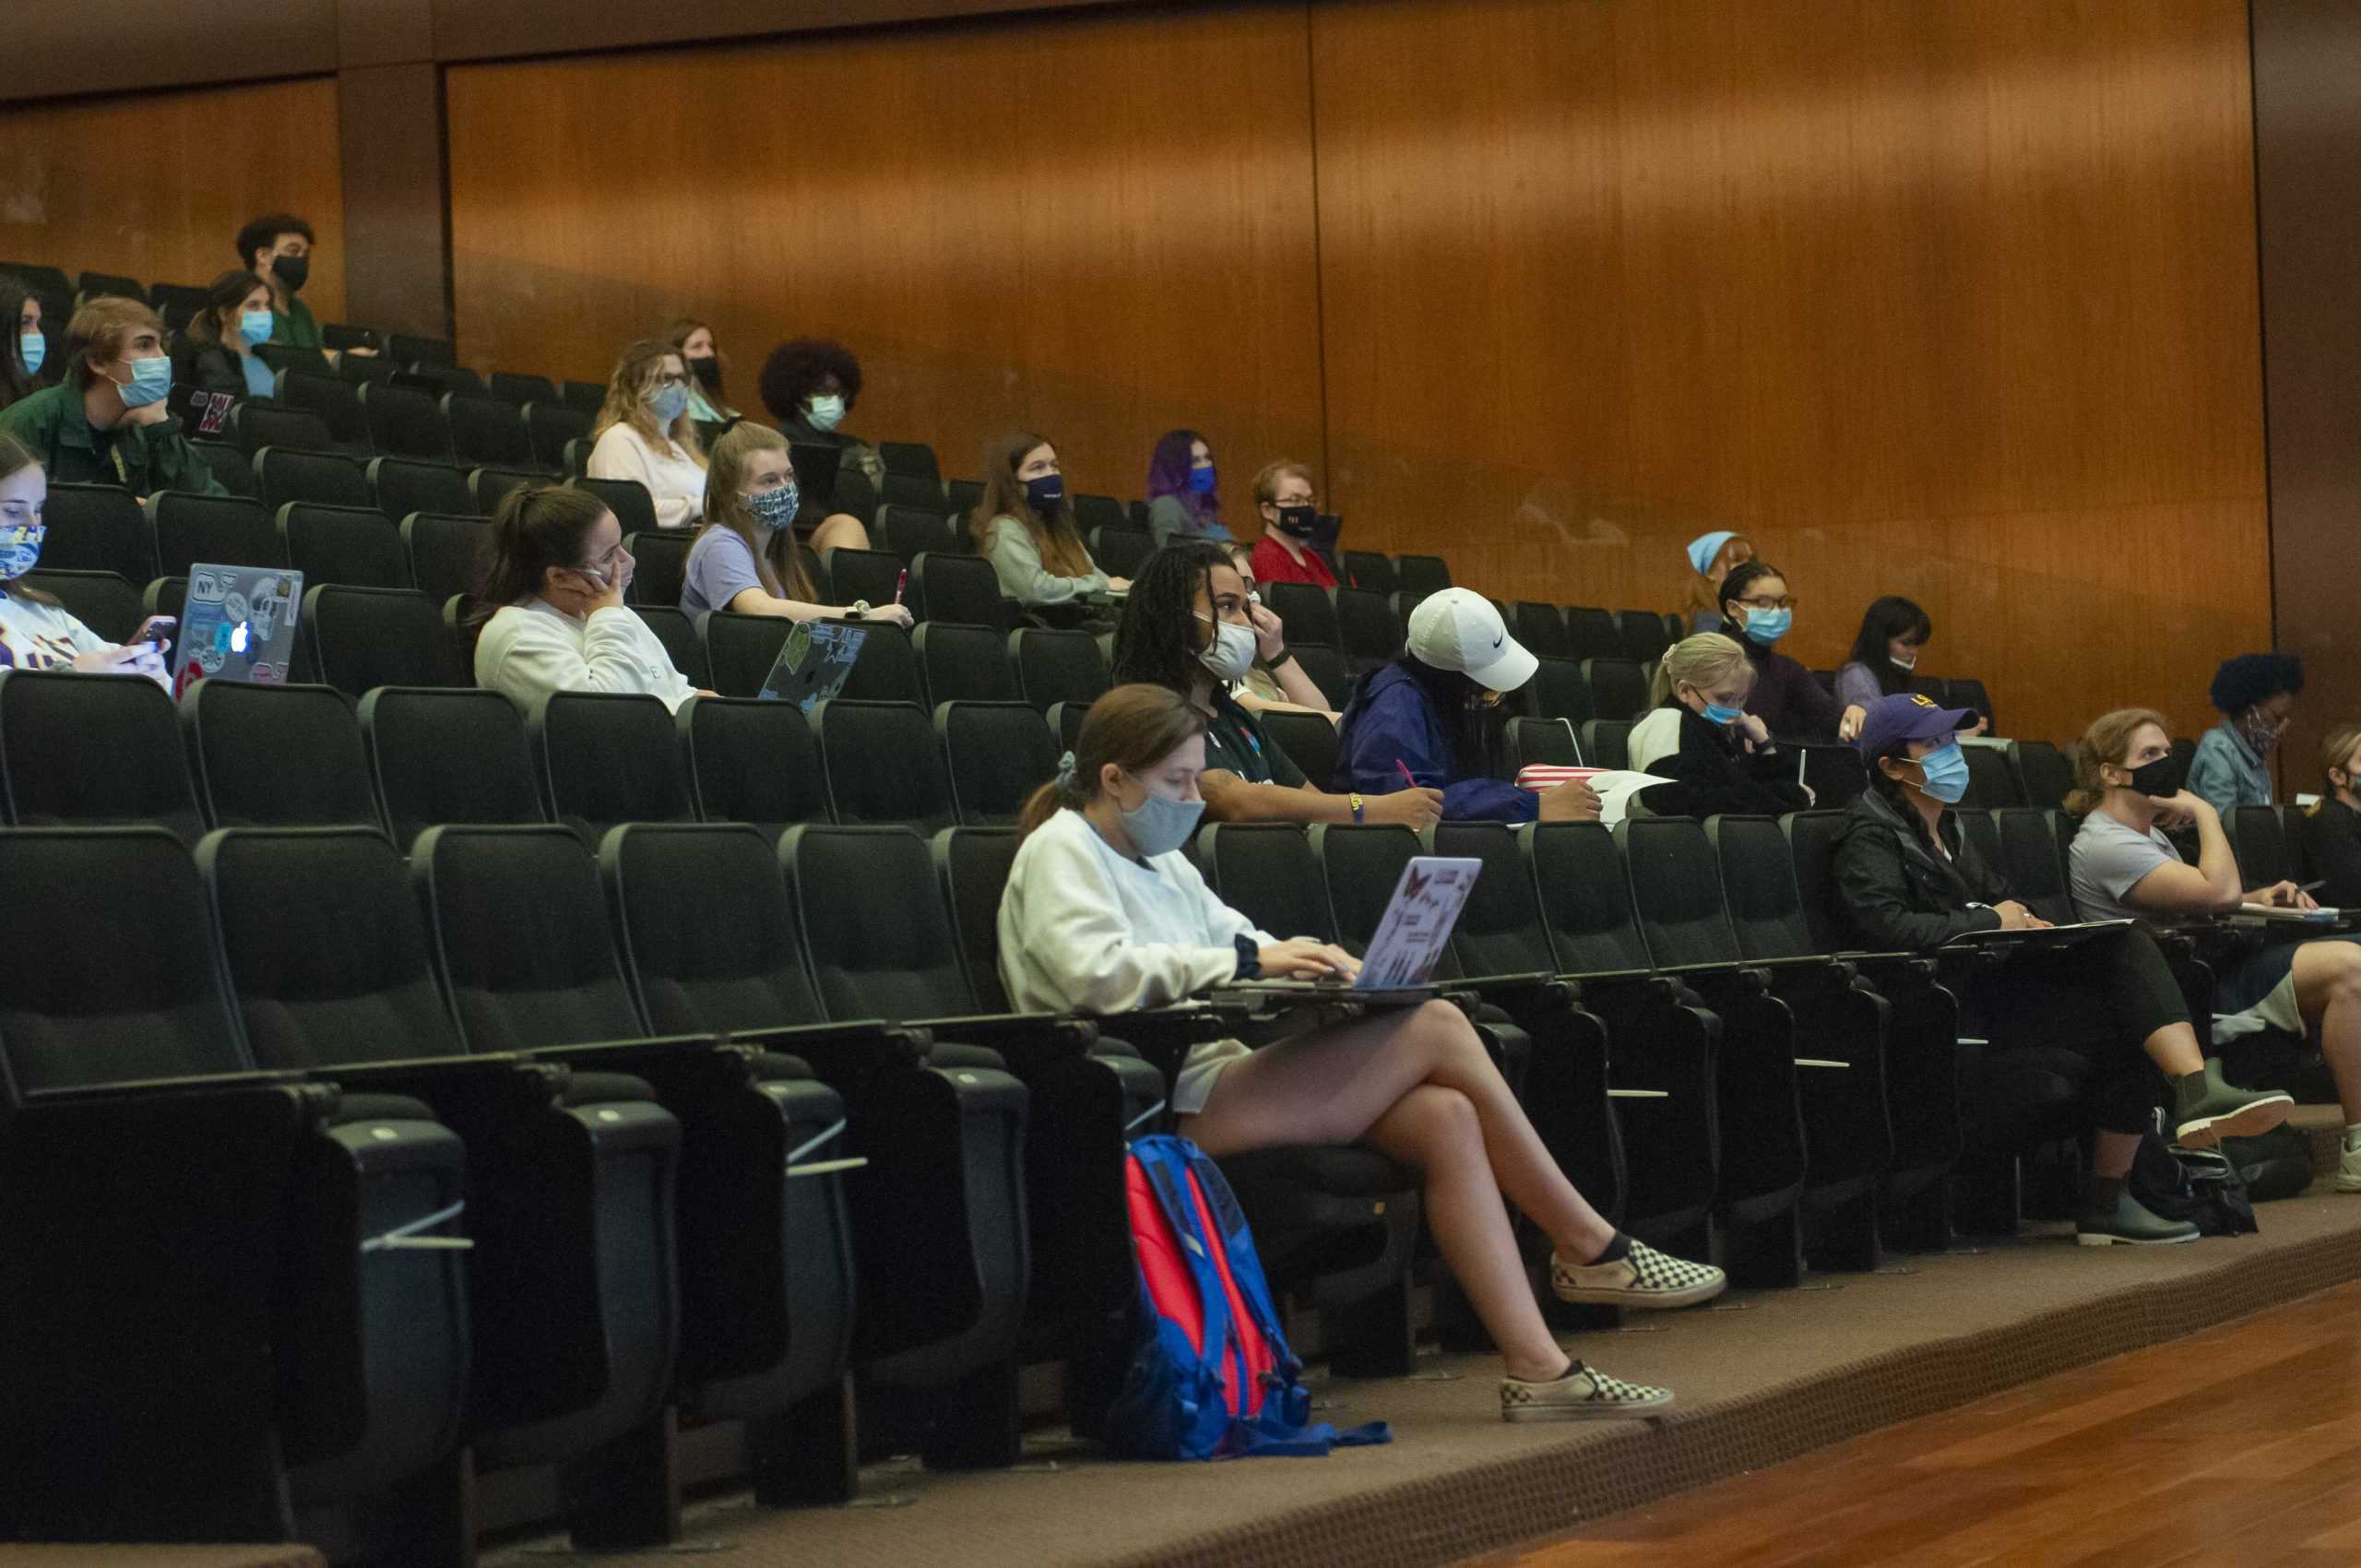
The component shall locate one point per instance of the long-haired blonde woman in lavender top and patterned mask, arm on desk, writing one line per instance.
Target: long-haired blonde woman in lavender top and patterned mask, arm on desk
(745, 551)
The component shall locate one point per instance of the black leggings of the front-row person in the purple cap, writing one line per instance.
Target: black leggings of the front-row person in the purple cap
(2100, 1000)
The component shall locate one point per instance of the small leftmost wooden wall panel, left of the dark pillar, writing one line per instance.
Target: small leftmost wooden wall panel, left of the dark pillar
(159, 185)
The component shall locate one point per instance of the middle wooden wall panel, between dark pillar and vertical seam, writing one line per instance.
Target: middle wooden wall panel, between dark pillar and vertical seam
(1097, 228)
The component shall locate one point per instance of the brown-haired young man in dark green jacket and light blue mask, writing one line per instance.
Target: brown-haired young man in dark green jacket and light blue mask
(107, 422)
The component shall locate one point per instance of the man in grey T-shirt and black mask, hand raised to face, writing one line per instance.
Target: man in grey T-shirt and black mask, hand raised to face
(2131, 785)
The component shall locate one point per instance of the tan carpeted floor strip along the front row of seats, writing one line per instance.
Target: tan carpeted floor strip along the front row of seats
(1762, 1378)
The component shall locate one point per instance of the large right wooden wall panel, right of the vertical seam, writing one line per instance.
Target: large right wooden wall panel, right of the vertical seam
(1947, 299)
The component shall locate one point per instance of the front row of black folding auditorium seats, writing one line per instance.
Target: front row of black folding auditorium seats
(1703, 1073)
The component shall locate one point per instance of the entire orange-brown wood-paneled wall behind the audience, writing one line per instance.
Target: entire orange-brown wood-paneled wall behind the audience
(1951, 299)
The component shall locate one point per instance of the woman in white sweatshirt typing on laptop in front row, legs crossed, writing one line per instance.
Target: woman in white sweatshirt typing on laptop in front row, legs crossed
(1106, 915)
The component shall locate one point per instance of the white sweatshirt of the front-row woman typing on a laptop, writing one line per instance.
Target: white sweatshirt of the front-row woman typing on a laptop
(1090, 932)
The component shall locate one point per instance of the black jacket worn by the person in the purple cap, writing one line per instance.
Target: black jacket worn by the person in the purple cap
(1899, 894)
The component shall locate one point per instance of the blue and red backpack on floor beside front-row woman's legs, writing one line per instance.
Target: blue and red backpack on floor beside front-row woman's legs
(1210, 1373)
